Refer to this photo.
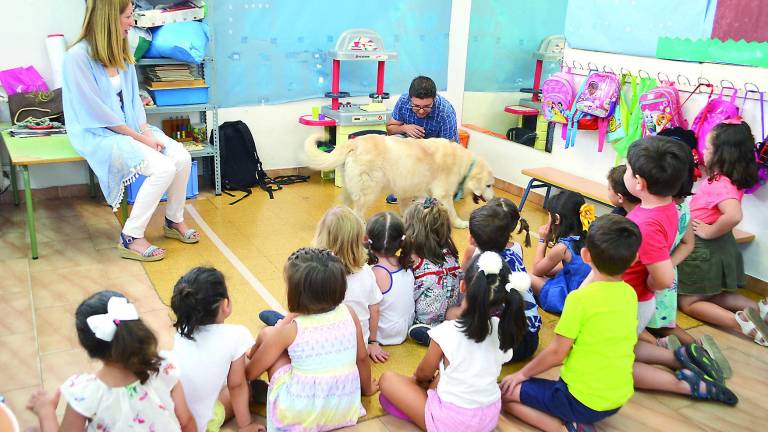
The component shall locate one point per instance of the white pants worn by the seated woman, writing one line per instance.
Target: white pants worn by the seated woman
(165, 172)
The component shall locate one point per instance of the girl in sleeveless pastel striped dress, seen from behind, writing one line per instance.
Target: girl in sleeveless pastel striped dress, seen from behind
(316, 356)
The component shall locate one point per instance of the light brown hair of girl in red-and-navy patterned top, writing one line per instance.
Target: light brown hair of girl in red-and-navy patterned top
(428, 231)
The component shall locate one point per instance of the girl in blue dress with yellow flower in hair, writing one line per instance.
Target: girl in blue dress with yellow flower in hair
(557, 267)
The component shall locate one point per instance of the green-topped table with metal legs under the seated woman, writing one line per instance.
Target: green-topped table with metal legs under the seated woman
(25, 152)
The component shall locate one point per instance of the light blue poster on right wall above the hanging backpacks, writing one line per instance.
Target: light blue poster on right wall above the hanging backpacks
(633, 27)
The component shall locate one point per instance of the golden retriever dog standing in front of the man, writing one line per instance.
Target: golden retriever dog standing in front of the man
(407, 167)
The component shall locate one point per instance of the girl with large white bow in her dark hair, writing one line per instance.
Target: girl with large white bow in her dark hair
(135, 388)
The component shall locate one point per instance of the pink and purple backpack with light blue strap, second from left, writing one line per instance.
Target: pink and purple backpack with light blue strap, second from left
(596, 98)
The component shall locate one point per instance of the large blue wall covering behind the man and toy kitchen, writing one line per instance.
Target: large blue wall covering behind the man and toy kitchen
(270, 52)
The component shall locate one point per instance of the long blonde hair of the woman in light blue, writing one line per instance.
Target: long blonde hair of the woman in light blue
(102, 31)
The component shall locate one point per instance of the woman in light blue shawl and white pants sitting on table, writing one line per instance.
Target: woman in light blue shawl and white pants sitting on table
(107, 125)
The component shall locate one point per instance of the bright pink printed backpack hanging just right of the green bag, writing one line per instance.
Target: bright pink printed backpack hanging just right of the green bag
(661, 109)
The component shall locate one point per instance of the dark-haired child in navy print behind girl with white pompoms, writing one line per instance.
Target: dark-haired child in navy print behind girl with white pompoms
(490, 228)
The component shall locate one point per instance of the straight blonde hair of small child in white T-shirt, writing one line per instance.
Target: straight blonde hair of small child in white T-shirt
(341, 231)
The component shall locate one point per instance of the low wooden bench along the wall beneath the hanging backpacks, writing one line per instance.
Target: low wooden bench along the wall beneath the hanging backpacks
(548, 177)
